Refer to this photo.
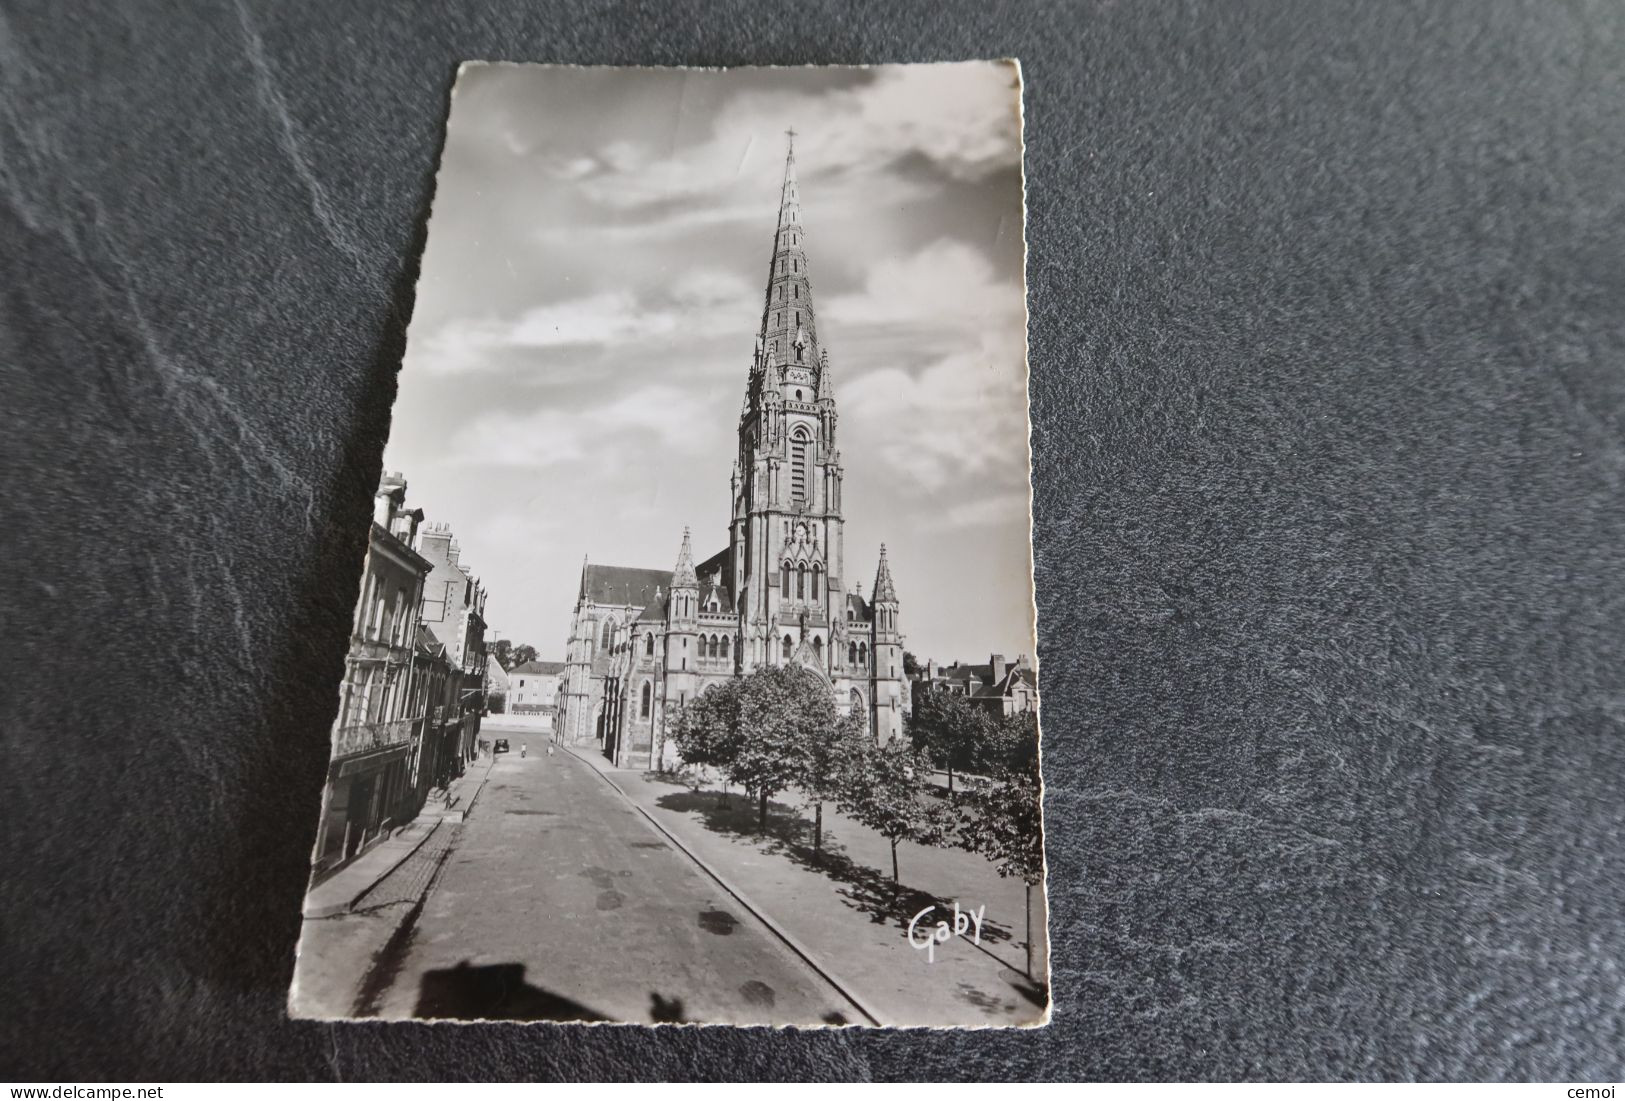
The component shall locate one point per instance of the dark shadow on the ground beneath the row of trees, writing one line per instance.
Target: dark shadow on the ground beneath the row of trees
(789, 834)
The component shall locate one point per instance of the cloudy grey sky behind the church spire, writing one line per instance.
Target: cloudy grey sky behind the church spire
(594, 283)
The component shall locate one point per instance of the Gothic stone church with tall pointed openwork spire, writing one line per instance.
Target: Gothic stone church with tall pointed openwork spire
(646, 642)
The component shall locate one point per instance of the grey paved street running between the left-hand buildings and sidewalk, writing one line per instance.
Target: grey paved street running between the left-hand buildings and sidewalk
(560, 902)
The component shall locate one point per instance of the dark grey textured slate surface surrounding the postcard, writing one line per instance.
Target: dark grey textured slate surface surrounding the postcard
(1327, 384)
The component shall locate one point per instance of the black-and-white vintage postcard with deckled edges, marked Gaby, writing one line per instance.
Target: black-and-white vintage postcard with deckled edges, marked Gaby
(693, 676)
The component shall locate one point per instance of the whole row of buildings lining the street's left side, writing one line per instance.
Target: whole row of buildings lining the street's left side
(414, 688)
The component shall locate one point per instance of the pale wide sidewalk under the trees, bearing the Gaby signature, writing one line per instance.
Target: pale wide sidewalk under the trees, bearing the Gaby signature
(844, 912)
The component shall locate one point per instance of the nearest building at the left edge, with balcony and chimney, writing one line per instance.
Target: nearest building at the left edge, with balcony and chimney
(373, 784)
